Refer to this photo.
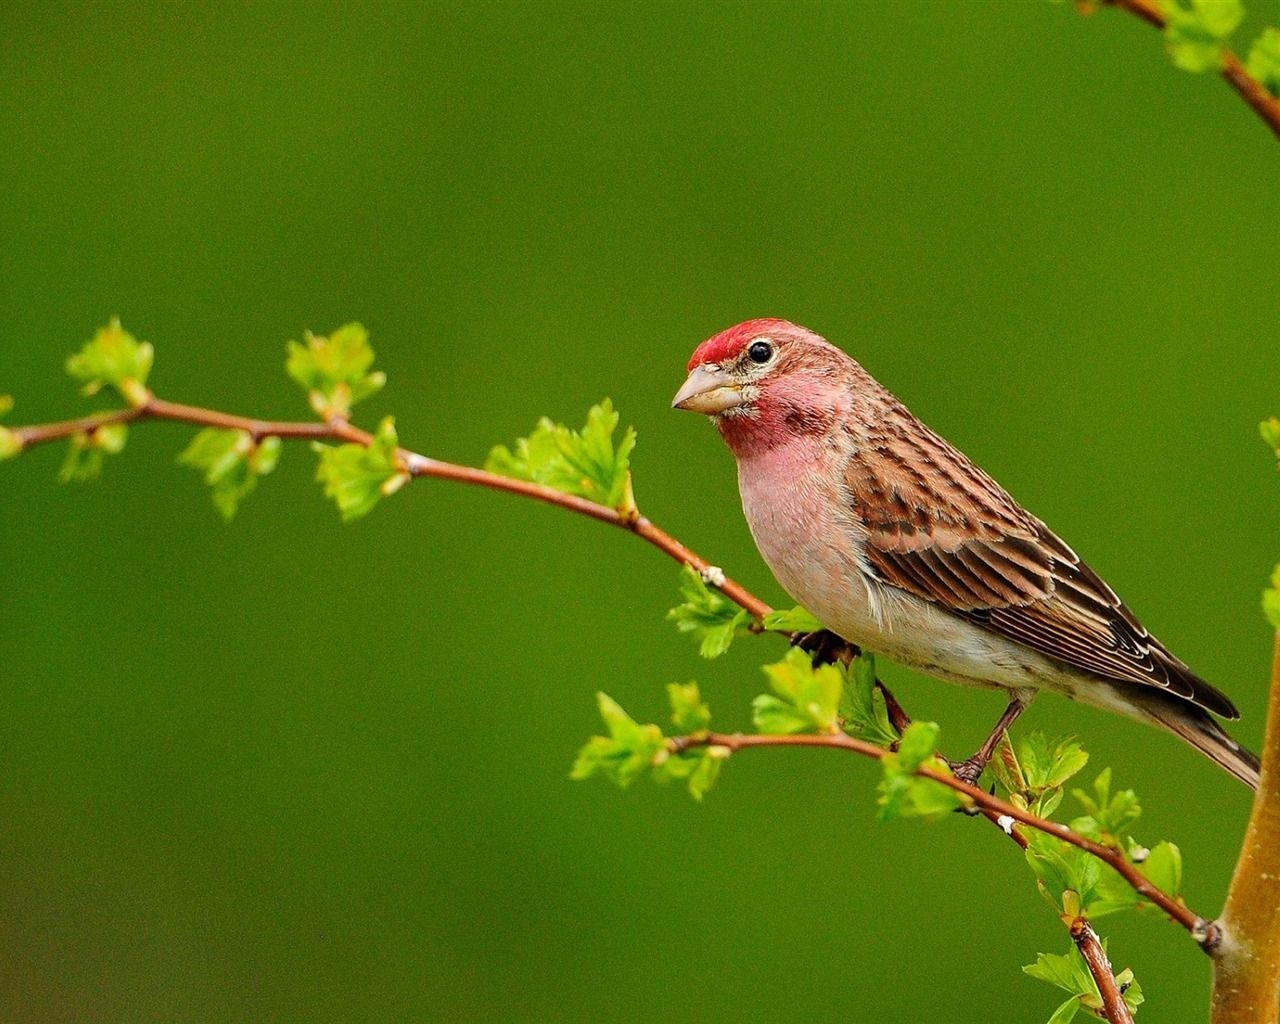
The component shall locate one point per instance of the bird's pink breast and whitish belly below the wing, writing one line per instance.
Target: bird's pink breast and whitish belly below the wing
(811, 540)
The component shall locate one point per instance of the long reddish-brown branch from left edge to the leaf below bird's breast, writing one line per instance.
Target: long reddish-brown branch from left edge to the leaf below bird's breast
(417, 465)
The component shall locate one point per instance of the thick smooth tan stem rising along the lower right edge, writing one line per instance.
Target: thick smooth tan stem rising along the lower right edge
(1247, 968)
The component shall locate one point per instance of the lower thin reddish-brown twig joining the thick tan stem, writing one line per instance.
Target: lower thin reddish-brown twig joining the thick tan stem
(1000, 812)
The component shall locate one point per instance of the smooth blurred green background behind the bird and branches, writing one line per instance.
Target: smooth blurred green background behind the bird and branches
(286, 770)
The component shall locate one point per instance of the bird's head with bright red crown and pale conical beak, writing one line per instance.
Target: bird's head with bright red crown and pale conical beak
(766, 383)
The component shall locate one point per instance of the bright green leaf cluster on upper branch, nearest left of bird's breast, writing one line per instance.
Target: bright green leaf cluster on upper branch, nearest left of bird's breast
(584, 463)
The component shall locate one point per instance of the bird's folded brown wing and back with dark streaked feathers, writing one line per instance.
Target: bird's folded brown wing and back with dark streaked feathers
(943, 529)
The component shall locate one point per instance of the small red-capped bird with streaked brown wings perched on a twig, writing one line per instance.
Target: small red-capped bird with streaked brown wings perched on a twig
(900, 545)
